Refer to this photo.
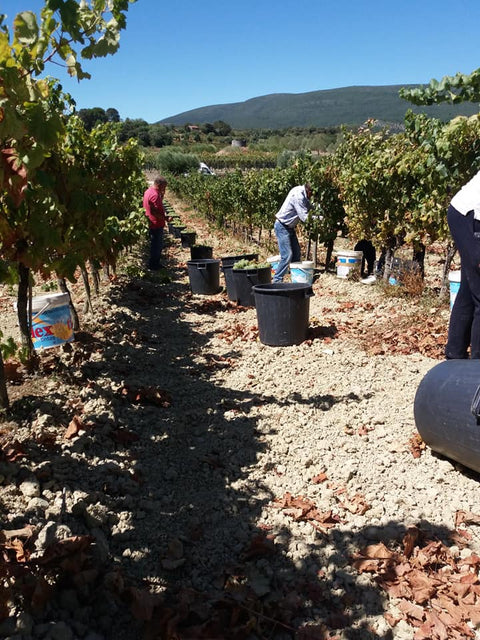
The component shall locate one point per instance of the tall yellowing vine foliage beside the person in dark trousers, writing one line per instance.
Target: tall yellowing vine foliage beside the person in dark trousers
(396, 188)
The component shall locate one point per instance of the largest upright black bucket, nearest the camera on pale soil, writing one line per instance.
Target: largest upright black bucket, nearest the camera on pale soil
(283, 310)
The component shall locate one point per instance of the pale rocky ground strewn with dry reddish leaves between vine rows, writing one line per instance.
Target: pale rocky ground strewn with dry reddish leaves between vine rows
(167, 476)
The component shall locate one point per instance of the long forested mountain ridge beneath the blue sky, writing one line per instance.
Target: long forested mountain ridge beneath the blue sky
(323, 108)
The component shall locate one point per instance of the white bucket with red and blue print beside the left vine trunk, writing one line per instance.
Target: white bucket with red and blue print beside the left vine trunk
(51, 320)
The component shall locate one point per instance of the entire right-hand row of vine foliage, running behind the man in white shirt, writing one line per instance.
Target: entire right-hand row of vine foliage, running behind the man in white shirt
(390, 187)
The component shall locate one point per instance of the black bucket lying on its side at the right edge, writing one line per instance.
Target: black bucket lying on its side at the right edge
(447, 411)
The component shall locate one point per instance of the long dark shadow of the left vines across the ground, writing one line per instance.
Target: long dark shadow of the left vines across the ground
(161, 484)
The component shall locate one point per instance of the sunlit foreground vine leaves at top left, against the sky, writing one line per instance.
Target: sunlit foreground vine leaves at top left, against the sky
(33, 110)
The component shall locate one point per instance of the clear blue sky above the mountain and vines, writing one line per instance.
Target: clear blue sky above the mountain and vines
(179, 55)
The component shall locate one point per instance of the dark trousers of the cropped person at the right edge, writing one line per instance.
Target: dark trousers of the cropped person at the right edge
(464, 327)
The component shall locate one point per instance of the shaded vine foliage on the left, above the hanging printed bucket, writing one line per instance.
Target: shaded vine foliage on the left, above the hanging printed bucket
(72, 212)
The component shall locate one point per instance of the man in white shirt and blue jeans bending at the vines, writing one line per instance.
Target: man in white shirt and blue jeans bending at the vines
(294, 209)
